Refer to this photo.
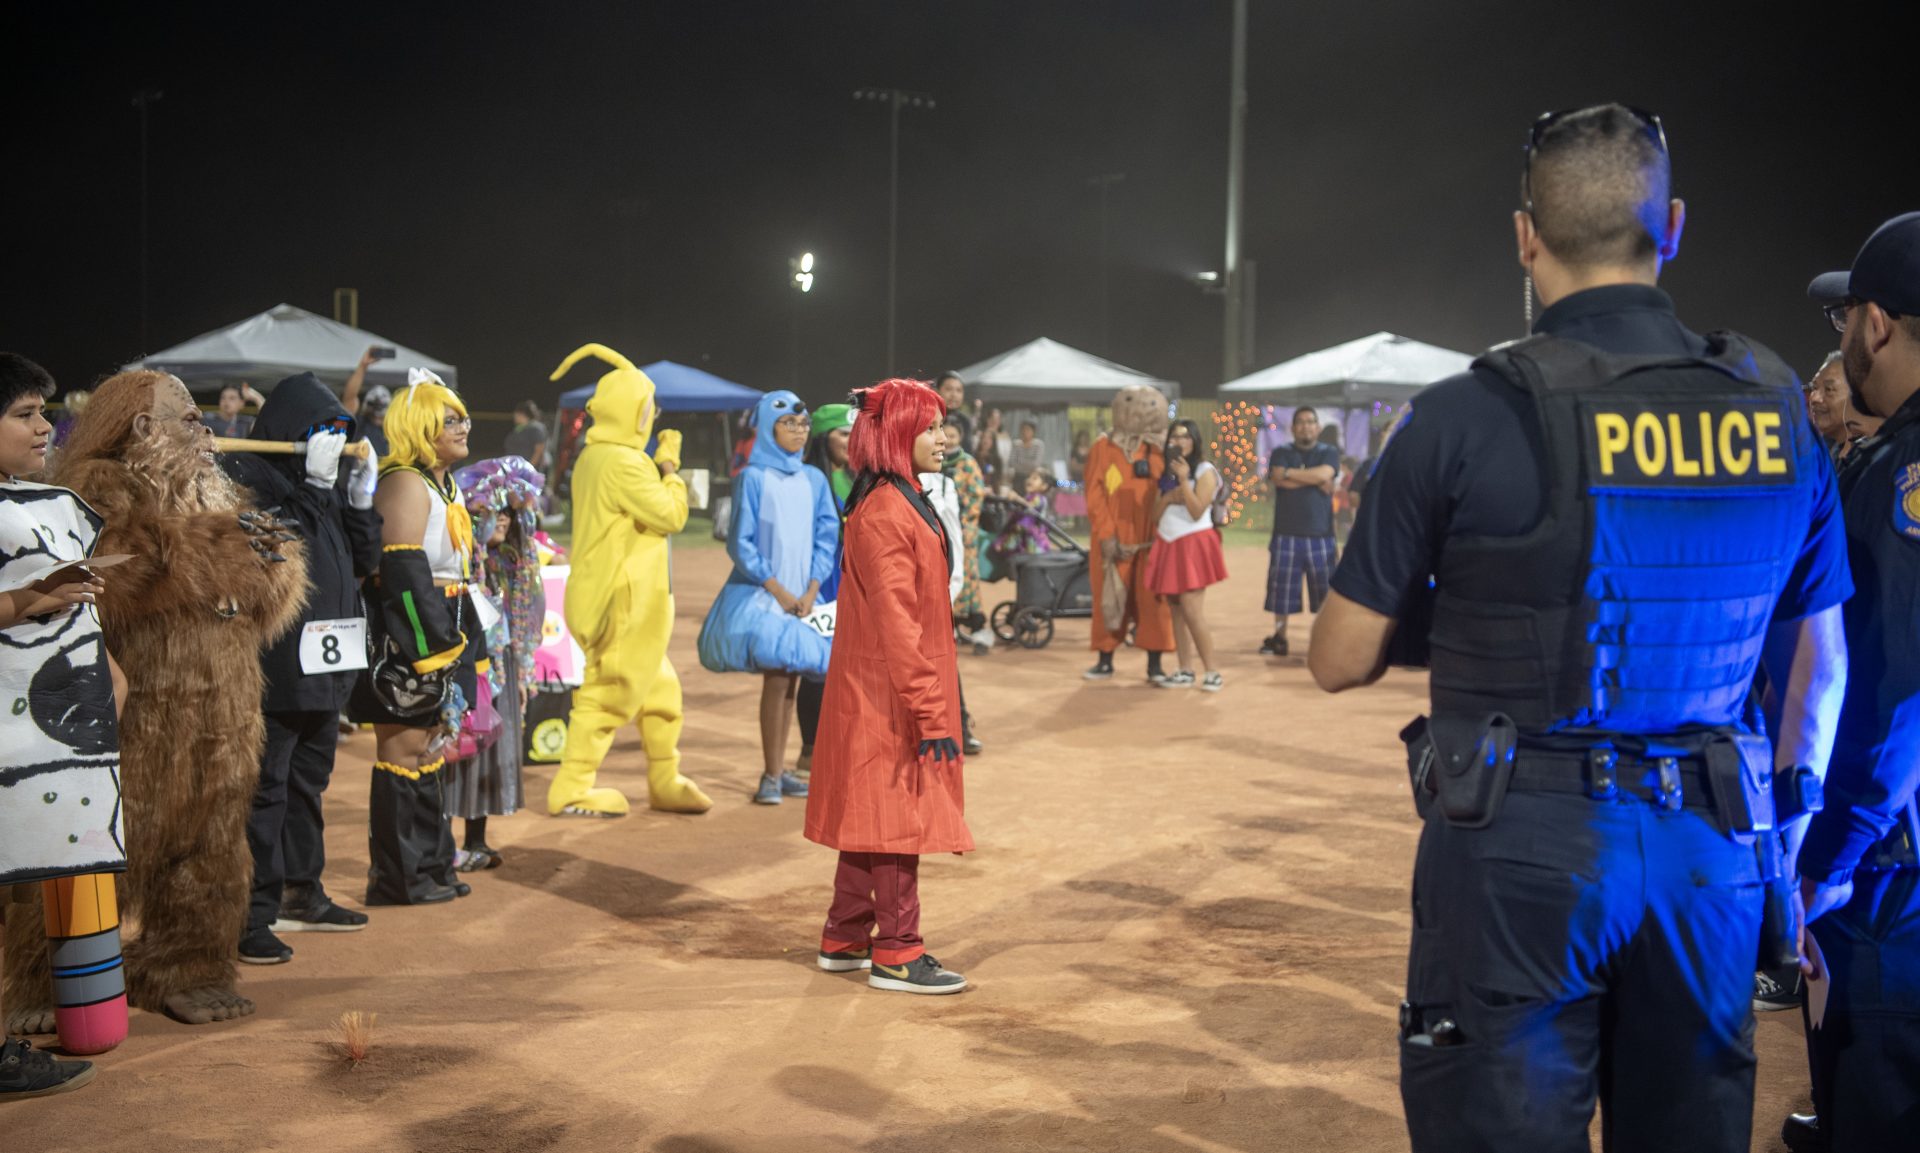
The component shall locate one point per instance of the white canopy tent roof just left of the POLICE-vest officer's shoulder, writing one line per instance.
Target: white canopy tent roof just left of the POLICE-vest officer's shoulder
(1374, 369)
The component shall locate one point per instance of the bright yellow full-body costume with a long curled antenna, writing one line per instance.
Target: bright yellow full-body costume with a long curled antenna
(619, 601)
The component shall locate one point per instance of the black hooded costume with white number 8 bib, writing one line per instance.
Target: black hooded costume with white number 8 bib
(302, 709)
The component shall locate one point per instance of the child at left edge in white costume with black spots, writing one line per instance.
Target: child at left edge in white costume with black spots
(60, 811)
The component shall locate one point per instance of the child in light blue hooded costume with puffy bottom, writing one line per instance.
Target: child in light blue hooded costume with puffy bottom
(784, 542)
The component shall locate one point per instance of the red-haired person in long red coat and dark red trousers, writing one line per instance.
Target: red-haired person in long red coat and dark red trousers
(886, 786)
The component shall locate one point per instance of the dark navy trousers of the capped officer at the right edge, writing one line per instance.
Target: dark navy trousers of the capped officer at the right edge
(1867, 1050)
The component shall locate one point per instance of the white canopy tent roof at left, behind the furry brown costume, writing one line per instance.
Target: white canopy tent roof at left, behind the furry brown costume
(285, 342)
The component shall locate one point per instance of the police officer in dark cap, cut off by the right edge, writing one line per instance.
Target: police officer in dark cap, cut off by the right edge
(1860, 874)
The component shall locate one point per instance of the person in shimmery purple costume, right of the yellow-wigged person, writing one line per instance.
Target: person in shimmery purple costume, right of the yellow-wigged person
(504, 498)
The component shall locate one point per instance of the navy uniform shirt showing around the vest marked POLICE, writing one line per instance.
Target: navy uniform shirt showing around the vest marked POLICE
(1460, 465)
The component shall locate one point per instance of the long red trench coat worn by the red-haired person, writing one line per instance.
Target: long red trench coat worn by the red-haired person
(892, 686)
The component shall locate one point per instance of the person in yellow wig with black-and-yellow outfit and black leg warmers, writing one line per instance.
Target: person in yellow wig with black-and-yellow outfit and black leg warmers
(427, 646)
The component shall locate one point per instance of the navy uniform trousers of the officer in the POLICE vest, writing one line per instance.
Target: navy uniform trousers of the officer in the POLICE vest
(1585, 951)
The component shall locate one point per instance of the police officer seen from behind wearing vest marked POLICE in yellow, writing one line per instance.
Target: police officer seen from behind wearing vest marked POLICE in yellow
(1589, 895)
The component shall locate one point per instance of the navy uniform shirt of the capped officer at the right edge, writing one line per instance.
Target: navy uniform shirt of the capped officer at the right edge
(1877, 753)
